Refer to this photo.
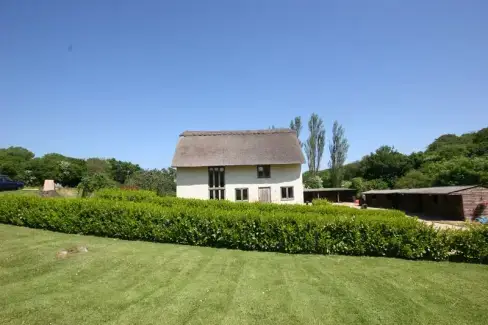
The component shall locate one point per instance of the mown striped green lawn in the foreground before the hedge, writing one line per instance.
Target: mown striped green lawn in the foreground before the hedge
(123, 282)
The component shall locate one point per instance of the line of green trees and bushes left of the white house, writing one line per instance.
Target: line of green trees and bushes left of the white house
(90, 174)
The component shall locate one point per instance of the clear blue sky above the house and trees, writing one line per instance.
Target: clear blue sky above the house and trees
(123, 78)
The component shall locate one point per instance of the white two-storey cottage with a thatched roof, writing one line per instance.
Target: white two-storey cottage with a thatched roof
(259, 165)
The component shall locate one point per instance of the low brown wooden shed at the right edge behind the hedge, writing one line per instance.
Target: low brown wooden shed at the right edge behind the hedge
(447, 202)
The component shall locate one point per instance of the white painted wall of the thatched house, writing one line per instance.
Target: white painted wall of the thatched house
(193, 182)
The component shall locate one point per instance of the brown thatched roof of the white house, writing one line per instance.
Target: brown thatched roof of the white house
(233, 148)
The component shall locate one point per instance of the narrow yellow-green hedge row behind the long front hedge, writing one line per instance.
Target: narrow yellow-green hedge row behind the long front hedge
(326, 209)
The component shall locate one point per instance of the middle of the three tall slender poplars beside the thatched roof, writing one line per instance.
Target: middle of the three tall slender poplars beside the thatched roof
(315, 144)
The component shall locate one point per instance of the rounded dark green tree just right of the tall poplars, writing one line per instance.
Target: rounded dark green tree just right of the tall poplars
(386, 164)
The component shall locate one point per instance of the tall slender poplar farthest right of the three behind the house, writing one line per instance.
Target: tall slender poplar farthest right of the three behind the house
(338, 153)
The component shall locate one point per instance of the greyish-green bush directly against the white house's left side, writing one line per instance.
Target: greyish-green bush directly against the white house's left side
(160, 181)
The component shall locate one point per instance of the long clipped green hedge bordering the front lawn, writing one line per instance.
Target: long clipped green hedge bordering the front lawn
(265, 231)
